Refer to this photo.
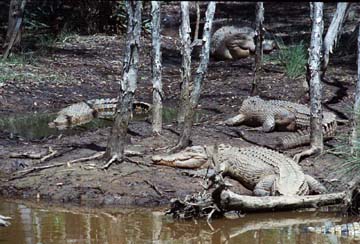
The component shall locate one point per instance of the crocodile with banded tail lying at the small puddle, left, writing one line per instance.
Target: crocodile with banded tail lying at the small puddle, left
(85, 111)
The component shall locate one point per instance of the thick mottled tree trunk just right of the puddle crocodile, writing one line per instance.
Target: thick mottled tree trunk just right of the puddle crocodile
(118, 134)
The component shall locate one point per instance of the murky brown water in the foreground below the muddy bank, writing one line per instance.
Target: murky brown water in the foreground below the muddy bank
(34, 224)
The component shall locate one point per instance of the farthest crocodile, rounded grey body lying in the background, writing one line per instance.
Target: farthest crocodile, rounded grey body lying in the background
(230, 42)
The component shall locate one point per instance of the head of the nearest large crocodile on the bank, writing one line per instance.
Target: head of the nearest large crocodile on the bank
(191, 157)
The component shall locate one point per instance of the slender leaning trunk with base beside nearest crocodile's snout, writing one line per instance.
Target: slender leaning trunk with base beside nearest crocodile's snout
(200, 73)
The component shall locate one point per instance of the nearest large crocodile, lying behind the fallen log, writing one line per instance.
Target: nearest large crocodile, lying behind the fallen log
(264, 171)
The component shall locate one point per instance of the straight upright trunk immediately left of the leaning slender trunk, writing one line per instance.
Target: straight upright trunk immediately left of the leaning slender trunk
(186, 49)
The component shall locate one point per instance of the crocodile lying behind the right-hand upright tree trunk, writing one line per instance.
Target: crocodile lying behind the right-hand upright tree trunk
(278, 114)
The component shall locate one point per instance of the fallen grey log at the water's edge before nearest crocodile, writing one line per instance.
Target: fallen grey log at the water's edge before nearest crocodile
(233, 201)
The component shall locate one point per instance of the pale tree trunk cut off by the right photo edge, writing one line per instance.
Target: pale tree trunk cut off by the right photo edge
(356, 116)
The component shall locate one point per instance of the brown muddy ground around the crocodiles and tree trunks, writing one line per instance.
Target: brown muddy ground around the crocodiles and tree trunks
(87, 67)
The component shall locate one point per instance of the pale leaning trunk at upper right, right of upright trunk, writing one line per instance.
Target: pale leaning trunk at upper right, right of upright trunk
(333, 33)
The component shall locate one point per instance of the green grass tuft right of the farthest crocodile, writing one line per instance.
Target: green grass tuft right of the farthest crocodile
(293, 58)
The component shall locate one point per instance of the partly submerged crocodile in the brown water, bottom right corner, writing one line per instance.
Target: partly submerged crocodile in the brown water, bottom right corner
(344, 230)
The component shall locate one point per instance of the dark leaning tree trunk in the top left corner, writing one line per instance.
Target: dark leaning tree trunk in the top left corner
(13, 35)
